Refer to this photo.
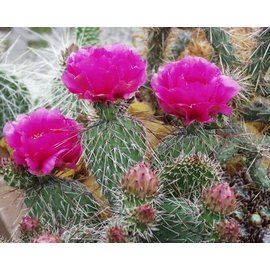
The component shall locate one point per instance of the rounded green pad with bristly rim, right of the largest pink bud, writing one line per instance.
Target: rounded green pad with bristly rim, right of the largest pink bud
(188, 175)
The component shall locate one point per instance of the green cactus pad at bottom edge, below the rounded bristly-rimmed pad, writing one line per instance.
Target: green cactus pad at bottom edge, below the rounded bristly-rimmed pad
(178, 222)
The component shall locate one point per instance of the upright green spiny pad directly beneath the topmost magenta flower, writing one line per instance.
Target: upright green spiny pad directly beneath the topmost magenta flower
(111, 147)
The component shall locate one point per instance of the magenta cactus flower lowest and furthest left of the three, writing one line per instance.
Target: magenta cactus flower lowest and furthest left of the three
(44, 140)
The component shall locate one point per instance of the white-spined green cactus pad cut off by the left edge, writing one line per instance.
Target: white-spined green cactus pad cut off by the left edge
(14, 99)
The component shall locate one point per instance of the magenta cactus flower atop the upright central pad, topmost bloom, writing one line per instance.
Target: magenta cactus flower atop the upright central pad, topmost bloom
(104, 74)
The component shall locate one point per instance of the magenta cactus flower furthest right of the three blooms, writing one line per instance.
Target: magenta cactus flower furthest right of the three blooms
(195, 89)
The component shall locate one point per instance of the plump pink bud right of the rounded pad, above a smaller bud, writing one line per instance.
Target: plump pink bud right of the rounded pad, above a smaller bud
(220, 199)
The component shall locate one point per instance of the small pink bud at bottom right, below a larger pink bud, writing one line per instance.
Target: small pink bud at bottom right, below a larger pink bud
(229, 230)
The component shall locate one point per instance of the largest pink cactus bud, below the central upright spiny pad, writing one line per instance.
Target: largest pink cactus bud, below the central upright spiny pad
(140, 181)
